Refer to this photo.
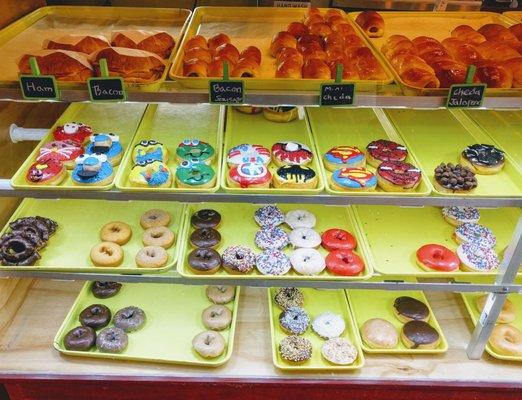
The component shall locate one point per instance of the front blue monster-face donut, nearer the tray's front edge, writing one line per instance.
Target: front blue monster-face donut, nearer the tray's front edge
(92, 169)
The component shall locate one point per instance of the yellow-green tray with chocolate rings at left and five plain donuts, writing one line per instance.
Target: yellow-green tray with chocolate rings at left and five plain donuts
(79, 225)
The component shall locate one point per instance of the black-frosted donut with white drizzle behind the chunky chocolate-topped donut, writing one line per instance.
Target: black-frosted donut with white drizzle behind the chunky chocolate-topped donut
(483, 159)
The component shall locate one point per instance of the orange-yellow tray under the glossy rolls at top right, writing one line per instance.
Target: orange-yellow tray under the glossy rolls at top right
(437, 25)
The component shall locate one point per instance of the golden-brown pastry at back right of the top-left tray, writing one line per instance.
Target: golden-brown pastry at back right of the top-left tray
(157, 42)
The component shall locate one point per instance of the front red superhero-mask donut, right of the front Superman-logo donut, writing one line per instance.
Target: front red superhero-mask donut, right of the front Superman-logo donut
(397, 176)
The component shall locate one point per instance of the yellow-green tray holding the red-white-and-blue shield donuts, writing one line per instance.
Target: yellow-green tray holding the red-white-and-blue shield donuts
(255, 129)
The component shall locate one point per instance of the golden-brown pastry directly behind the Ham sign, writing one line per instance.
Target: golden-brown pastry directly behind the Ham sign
(64, 65)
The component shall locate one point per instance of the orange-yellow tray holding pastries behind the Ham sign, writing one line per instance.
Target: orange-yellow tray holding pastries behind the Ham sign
(27, 33)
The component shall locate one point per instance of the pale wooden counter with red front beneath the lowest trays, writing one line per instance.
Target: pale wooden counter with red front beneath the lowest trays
(32, 311)
